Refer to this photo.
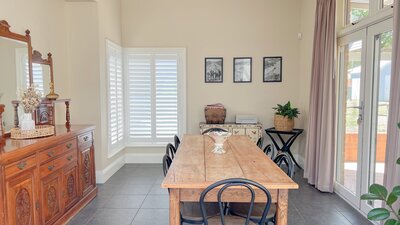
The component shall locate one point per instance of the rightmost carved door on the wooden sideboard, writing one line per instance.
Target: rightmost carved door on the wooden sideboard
(86, 170)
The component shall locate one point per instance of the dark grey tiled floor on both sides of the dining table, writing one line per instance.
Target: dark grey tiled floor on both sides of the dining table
(133, 196)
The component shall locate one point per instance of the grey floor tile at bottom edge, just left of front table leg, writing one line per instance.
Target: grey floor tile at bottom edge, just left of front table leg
(151, 217)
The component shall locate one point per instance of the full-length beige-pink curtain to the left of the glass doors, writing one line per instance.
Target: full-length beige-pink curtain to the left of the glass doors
(319, 166)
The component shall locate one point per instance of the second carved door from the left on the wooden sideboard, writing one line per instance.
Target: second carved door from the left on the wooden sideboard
(51, 197)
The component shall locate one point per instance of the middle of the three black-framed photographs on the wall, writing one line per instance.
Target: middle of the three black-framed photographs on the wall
(242, 70)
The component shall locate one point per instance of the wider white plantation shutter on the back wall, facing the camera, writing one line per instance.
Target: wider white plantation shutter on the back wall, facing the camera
(155, 95)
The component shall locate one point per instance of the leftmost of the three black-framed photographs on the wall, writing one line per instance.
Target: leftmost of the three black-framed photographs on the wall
(214, 70)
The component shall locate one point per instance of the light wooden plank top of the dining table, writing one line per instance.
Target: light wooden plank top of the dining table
(195, 166)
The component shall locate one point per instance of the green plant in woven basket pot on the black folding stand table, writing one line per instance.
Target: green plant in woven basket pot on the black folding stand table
(284, 117)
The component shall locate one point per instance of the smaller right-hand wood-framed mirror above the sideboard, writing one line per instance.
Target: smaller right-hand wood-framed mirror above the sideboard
(42, 74)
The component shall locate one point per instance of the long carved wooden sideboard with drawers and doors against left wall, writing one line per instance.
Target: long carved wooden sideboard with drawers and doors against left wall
(47, 180)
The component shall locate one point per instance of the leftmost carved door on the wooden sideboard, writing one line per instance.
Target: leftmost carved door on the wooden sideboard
(21, 201)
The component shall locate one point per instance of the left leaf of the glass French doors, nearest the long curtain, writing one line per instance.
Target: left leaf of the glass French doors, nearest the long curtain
(350, 114)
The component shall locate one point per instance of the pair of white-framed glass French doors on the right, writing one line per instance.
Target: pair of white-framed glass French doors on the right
(363, 103)
